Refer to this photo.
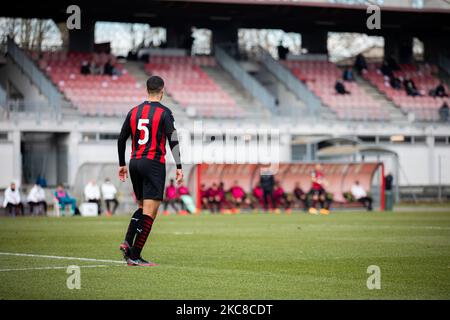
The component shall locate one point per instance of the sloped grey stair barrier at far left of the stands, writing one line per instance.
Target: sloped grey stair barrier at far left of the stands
(28, 67)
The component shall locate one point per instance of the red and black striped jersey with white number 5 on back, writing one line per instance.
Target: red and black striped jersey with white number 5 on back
(149, 124)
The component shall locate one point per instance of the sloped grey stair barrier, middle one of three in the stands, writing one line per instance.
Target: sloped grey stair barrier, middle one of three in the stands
(247, 81)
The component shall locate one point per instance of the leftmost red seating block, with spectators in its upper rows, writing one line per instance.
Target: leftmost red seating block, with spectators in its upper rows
(91, 94)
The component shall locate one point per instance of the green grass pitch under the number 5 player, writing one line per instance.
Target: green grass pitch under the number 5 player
(245, 256)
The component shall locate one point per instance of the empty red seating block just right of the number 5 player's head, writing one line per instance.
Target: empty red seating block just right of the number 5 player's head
(192, 87)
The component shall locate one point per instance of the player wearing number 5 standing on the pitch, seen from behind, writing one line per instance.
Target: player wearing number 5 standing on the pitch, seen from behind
(149, 124)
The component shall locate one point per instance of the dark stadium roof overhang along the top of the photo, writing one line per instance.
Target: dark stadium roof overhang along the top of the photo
(289, 15)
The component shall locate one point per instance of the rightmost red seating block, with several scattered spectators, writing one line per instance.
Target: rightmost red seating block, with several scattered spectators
(425, 108)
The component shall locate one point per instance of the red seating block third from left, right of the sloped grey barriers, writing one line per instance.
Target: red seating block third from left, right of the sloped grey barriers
(320, 77)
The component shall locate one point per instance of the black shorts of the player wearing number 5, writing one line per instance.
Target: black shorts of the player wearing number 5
(148, 178)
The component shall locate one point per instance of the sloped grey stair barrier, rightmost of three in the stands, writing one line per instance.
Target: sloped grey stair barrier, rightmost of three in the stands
(290, 81)
